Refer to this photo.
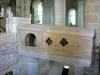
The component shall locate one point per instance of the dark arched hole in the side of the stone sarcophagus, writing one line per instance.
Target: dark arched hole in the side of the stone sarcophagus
(30, 40)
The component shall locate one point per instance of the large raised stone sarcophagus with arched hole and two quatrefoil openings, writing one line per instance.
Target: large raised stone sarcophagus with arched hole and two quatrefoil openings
(57, 43)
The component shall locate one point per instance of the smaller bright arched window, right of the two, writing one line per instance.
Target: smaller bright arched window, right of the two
(72, 17)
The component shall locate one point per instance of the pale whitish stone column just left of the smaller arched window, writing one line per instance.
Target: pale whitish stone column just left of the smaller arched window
(60, 12)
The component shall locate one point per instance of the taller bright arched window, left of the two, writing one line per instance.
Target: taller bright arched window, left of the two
(36, 12)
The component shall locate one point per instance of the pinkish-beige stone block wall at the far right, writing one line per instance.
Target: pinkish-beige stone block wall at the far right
(92, 16)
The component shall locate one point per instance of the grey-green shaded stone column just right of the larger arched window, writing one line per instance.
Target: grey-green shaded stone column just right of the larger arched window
(48, 12)
